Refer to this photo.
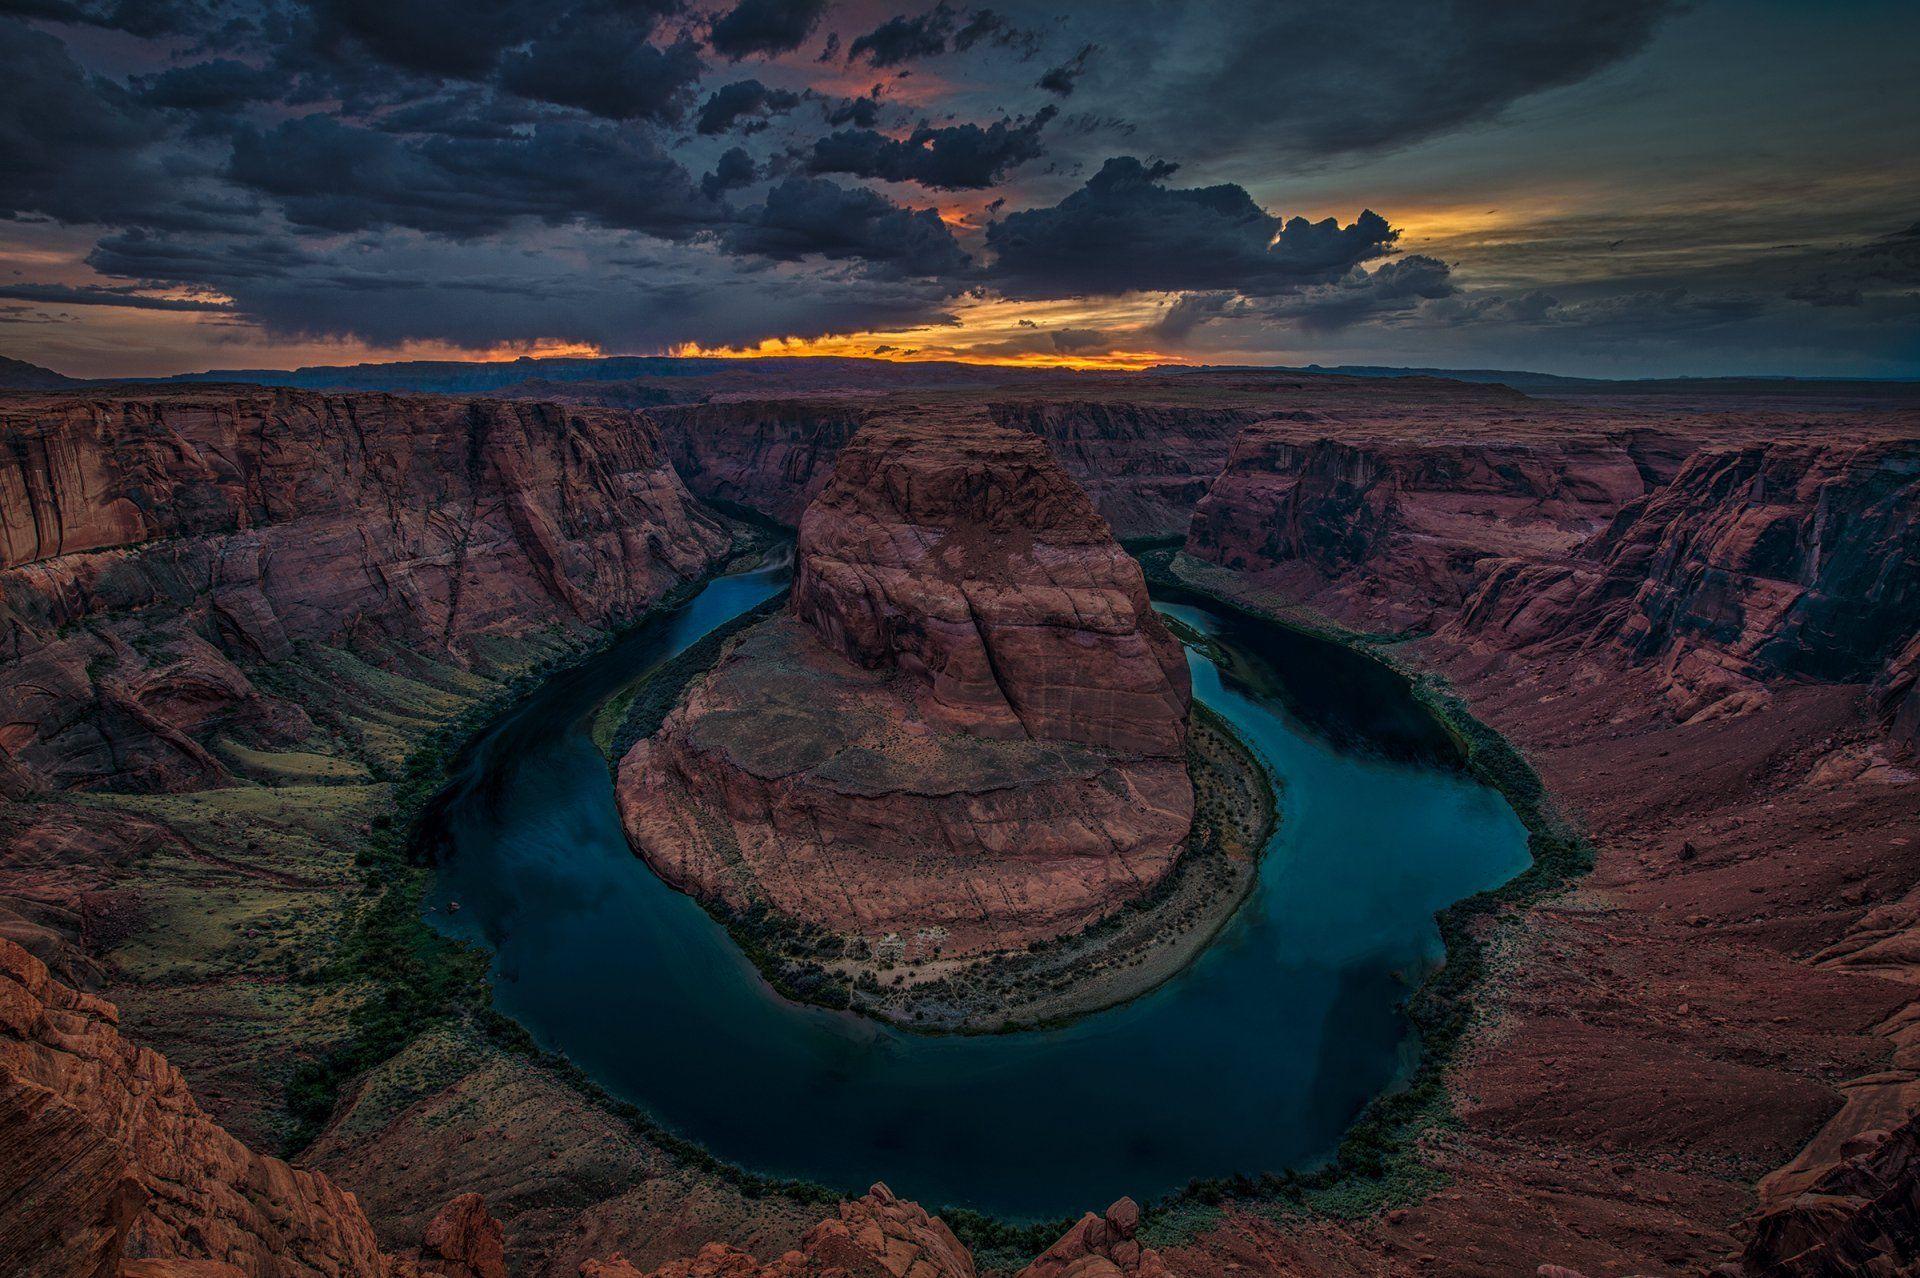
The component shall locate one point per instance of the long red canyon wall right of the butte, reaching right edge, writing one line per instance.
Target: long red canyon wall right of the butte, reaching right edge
(1717, 561)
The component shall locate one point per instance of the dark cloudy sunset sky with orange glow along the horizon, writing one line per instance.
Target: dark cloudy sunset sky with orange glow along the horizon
(1589, 187)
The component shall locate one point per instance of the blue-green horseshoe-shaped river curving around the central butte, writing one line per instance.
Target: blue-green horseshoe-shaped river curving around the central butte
(1255, 1058)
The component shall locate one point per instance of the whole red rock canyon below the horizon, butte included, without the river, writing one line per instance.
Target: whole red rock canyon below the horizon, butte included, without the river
(235, 613)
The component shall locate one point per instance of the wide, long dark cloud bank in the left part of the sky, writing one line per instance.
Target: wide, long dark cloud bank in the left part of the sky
(339, 177)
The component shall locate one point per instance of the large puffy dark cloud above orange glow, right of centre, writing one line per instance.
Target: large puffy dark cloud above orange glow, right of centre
(1126, 231)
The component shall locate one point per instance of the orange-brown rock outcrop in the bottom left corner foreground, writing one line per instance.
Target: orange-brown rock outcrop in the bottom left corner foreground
(114, 1170)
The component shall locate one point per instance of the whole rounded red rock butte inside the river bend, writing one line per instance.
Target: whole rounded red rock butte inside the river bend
(971, 726)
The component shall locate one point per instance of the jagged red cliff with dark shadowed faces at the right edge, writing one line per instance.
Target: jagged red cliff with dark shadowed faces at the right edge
(1756, 563)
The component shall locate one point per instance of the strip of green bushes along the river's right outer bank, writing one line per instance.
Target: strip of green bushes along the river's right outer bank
(1380, 1162)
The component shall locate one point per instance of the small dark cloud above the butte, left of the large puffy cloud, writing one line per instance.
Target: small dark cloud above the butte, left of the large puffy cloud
(815, 218)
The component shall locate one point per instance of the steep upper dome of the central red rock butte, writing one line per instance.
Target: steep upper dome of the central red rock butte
(963, 556)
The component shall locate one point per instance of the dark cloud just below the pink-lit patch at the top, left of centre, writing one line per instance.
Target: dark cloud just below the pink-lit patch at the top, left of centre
(608, 66)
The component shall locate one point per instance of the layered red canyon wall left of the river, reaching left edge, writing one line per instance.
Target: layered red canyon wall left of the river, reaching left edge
(160, 548)
